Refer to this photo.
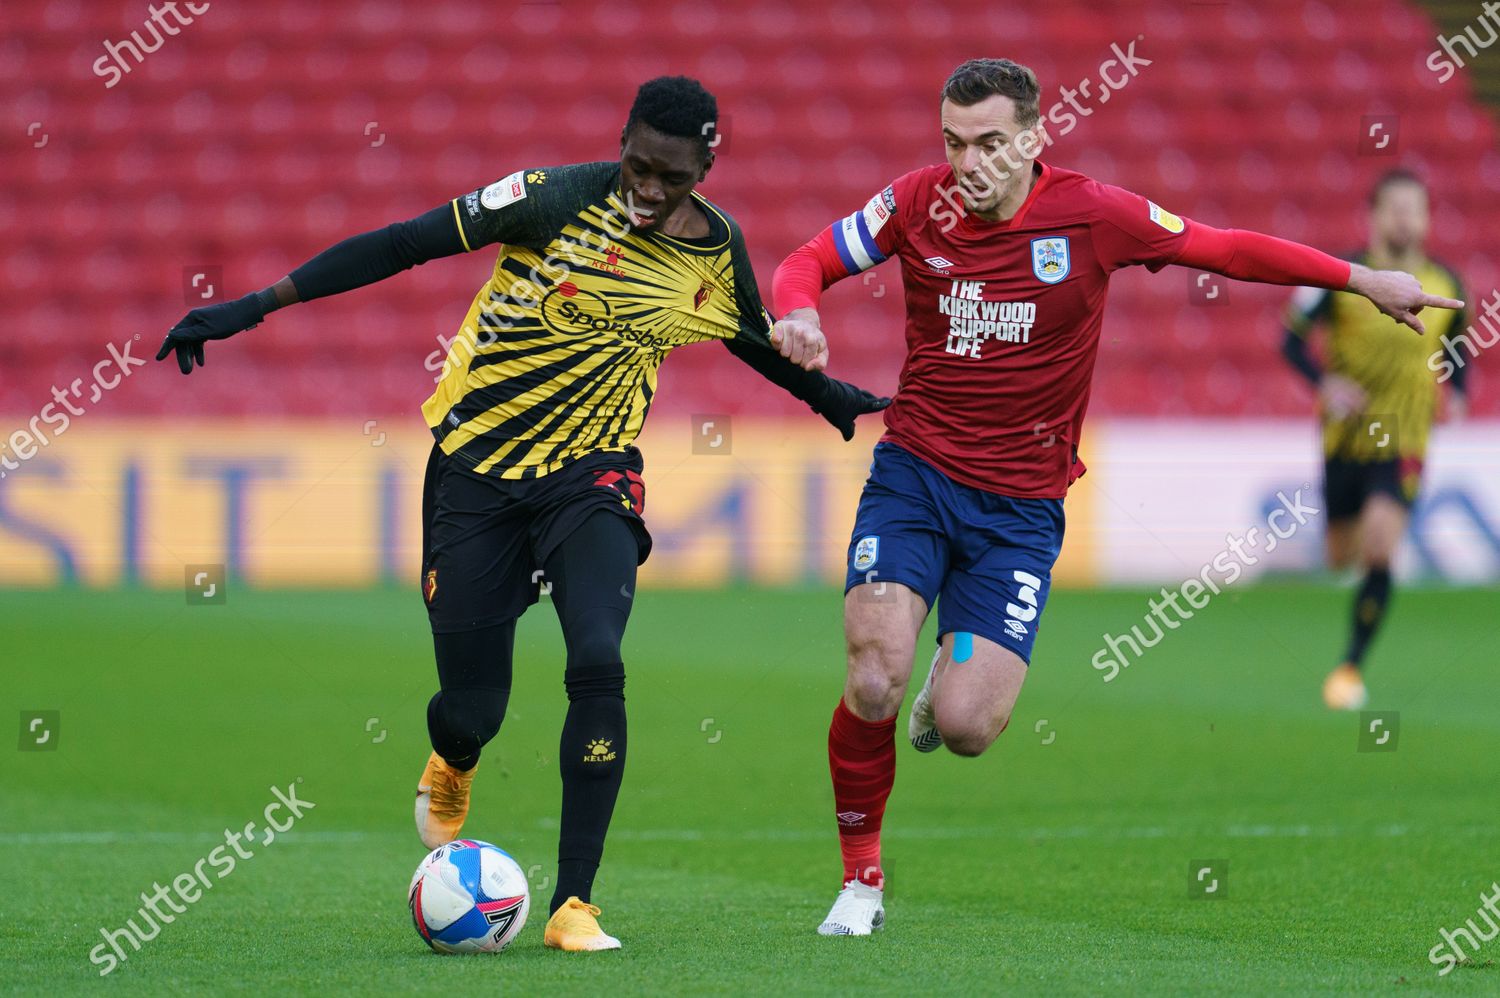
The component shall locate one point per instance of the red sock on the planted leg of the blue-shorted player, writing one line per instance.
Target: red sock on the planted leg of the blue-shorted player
(862, 759)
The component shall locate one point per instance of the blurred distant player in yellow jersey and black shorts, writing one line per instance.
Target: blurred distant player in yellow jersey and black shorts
(1378, 397)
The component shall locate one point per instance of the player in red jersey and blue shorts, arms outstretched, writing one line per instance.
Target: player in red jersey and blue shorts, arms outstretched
(1006, 265)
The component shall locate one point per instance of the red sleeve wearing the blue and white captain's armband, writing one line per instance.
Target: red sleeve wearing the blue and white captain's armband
(856, 242)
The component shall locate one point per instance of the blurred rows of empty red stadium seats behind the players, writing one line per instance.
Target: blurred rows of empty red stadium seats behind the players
(265, 134)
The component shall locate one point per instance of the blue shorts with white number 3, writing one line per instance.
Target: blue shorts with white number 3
(985, 559)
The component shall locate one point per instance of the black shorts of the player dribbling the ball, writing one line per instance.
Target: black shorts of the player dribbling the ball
(485, 540)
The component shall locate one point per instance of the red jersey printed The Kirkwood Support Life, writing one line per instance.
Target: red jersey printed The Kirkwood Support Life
(1003, 319)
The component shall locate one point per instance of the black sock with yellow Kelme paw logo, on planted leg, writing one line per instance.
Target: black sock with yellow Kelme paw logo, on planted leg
(592, 757)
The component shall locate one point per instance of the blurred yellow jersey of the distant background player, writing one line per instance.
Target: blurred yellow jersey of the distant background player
(1387, 359)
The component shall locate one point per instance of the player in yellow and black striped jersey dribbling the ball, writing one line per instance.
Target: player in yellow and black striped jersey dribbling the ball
(535, 479)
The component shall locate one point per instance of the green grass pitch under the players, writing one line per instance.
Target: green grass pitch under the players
(1057, 864)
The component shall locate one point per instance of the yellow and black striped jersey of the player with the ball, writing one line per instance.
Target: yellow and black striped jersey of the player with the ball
(560, 350)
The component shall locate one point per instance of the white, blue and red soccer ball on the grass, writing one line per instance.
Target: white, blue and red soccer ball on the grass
(469, 898)
